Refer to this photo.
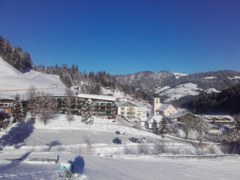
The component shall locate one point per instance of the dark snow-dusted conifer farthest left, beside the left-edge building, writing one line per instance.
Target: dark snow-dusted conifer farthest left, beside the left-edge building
(17, 109)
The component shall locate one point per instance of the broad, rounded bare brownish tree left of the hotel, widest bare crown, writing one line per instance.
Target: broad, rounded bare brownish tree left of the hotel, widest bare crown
(46, 105)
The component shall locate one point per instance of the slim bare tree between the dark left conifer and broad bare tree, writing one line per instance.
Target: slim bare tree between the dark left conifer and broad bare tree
(31, 104)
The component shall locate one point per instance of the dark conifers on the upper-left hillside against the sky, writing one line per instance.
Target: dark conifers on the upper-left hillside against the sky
(15, 56)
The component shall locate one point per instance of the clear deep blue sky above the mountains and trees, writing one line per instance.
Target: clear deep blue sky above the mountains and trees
(126, 36)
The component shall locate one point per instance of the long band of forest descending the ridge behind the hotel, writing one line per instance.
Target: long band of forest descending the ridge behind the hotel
(90, 83)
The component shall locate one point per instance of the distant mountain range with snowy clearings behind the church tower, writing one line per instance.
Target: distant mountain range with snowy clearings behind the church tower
(173, 86)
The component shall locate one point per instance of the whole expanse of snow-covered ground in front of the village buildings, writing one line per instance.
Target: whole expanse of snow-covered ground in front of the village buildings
(105, 160)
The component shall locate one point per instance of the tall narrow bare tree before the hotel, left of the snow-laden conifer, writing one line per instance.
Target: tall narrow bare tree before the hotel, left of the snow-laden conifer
(69, 103)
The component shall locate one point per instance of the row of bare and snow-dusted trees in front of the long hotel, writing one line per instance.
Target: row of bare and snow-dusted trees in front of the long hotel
(45, 105)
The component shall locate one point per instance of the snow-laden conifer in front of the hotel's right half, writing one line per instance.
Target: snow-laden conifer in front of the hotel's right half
(87, 112)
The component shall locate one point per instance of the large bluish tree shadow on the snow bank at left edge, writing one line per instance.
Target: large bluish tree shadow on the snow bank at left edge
(17, 135)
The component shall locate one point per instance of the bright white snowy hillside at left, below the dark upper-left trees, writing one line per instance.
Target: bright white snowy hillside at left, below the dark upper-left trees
(13, 81)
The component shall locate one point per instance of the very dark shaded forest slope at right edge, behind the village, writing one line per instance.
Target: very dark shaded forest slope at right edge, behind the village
(228, 101)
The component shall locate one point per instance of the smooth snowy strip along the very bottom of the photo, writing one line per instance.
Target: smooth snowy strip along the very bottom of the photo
(125, 167)
